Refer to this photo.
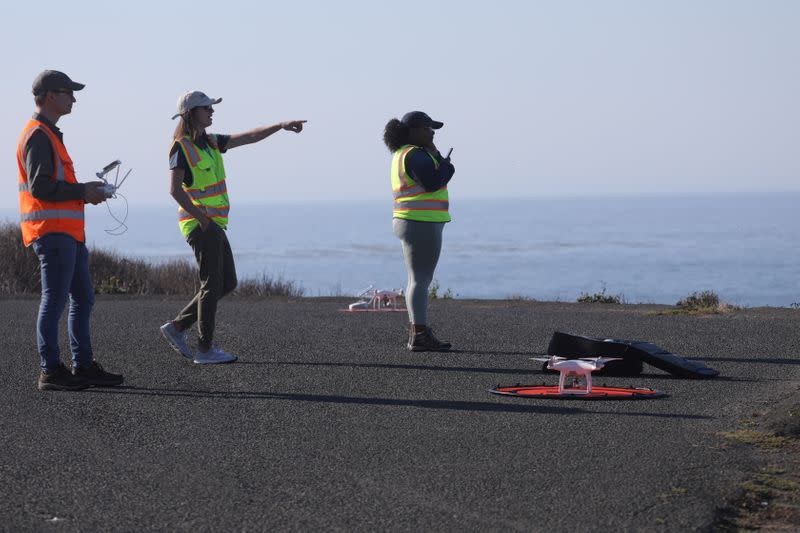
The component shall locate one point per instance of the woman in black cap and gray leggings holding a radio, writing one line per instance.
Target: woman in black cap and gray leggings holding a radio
(421, 208)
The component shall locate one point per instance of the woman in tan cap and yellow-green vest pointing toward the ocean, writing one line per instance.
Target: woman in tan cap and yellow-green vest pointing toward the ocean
(197, 183)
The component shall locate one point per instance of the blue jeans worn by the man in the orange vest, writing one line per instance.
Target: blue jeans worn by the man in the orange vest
(64, 265)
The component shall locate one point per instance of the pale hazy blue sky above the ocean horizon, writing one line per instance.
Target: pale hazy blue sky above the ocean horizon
(538, 97)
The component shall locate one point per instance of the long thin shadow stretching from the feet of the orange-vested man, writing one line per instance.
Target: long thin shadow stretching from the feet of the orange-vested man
(455, 405)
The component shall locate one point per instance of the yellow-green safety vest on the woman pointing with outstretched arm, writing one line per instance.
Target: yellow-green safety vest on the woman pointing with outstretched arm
(208, 189)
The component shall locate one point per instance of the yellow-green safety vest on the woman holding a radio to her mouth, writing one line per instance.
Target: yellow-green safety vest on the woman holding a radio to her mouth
(411, 200)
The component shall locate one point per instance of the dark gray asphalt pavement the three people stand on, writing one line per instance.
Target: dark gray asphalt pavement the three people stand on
(327, 422)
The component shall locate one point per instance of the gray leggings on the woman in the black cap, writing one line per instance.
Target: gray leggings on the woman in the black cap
(422, 243)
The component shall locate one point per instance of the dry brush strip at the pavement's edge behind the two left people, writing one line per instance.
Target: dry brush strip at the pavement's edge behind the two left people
(113, 273)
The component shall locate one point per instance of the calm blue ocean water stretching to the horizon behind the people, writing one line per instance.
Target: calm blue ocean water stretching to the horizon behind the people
(648, 249)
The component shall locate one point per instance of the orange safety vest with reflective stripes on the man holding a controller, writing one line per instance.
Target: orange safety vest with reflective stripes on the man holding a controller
(39, 217)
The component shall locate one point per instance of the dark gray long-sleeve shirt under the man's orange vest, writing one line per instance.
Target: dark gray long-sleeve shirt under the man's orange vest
(39, 165)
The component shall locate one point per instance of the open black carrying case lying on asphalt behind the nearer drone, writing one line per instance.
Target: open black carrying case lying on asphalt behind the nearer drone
(633, 354)
